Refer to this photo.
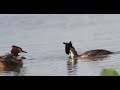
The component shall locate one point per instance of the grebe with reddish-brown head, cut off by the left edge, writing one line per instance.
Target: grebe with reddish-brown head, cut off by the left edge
(13, 59)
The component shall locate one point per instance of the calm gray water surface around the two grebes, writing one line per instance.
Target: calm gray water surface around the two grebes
(42, 36)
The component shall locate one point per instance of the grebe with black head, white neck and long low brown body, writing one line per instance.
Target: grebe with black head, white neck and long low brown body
(92, 53)
